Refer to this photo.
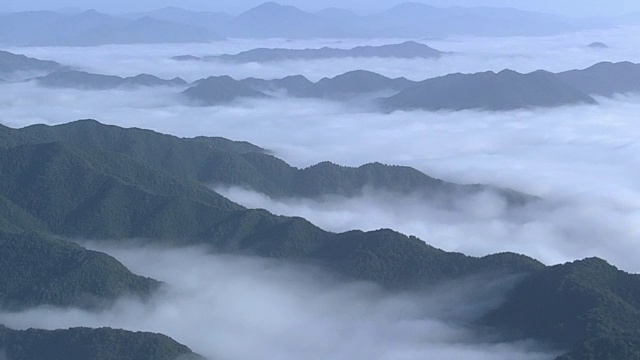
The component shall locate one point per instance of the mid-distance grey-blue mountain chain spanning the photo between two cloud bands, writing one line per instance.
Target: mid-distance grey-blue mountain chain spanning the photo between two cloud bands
(509, 89)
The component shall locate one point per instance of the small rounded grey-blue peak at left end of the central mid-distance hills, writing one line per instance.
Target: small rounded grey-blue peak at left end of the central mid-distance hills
(218, 90)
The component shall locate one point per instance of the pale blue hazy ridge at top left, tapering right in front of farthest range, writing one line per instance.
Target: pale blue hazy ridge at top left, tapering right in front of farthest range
(92, 28)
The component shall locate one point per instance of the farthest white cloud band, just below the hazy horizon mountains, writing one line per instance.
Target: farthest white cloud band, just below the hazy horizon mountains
(469, 54)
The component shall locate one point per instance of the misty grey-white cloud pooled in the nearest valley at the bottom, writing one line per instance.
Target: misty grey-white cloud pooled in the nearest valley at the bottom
(236, 308)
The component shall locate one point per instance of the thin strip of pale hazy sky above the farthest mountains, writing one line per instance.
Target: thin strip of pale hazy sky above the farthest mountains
(566, 7)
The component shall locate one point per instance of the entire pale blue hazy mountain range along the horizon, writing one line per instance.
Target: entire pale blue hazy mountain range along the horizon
(272, 20)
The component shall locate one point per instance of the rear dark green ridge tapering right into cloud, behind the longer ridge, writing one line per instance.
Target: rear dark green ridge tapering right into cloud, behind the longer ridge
(222, 162)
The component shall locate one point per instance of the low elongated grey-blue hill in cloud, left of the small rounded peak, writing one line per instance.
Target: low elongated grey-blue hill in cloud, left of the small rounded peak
(88, 81)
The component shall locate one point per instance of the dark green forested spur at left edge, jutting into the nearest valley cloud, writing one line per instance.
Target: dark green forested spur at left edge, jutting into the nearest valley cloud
(39, 270)
